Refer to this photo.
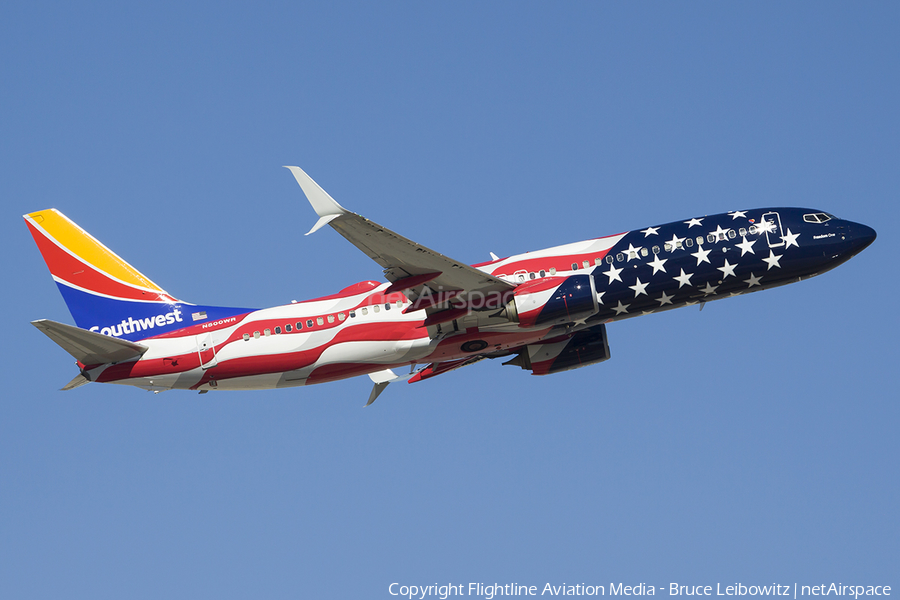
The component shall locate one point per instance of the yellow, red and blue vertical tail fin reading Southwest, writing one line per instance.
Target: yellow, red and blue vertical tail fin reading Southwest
(103, 292)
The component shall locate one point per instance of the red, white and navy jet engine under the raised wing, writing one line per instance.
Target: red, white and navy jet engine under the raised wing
(553, 300)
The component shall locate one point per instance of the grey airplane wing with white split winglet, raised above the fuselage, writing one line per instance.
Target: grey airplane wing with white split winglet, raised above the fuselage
(406, 264)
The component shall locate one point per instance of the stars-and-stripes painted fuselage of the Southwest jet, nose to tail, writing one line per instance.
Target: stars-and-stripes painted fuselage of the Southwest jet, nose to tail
(369, 327)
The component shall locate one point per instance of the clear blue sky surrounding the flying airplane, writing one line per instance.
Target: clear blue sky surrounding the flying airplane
(754, 442)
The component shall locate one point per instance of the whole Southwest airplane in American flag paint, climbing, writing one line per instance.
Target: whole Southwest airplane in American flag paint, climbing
(545, 311)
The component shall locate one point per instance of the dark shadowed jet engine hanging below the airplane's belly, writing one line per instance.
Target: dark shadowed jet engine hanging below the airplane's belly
(583, 348)
